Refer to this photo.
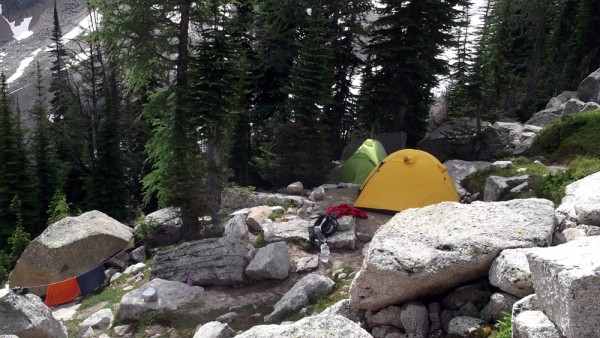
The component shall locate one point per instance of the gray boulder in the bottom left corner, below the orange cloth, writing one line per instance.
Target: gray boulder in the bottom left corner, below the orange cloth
(26, 316)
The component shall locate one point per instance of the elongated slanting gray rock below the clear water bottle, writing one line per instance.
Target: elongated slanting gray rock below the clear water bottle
(305, 290)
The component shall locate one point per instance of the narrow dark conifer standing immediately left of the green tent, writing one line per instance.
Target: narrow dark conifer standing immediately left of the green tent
(301, 143)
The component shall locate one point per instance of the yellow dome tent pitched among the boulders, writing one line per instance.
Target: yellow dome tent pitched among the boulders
(408, 178)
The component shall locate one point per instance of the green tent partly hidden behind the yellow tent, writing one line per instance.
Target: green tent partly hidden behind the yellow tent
(358, 166)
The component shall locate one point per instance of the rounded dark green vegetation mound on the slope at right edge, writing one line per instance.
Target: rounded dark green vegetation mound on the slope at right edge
(573, 135)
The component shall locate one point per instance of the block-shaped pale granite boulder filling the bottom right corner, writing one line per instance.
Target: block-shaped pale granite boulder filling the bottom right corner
(566, 279)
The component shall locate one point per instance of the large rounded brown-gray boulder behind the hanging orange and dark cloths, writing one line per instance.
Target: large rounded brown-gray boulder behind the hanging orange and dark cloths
(69, 248)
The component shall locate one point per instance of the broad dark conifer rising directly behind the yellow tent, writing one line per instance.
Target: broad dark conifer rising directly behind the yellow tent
(403, 60)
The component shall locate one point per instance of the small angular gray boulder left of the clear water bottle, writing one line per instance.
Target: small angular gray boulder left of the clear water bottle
(270, 262)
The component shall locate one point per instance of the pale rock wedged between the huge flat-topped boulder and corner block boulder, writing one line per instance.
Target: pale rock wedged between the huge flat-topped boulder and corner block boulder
(510, 272)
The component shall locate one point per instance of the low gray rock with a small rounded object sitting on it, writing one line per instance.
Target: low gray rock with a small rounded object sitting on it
(170, 297)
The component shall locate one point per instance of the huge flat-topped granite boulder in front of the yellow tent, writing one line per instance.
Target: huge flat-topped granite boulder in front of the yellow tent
(426, 251)
